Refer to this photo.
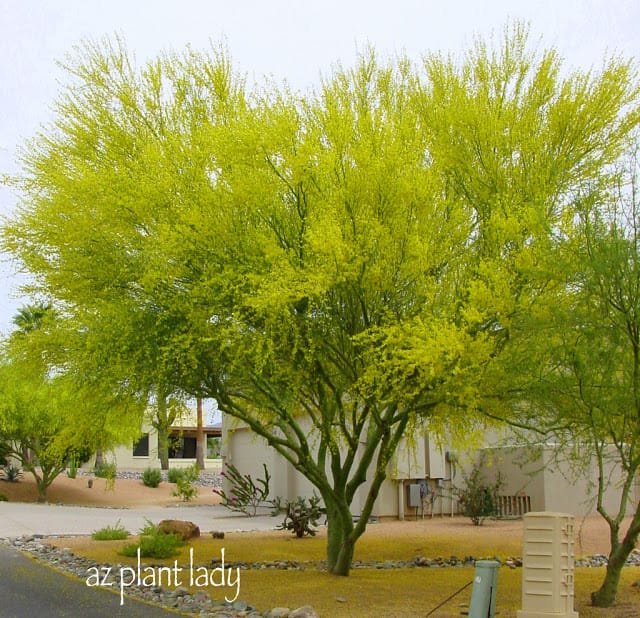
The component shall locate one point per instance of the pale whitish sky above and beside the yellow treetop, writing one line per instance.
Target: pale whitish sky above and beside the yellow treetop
(290, 40)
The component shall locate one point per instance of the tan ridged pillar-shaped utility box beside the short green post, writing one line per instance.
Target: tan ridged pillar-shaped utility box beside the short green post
(547, 572)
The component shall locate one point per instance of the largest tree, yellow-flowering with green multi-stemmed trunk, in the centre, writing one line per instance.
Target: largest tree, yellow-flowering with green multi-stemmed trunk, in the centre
(332, 268)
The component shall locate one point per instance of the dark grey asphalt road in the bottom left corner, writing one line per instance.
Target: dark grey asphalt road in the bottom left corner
(28, 589)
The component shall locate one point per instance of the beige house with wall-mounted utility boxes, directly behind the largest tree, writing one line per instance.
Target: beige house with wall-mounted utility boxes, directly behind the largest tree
(423, 474)
